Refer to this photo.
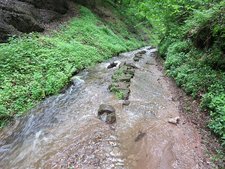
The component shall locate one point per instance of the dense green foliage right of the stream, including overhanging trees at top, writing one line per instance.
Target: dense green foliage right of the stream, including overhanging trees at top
(191, 38)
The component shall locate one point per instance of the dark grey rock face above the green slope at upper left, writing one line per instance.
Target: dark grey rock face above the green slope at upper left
(24, 16)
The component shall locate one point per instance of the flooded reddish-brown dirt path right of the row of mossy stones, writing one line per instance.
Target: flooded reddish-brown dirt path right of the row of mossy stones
(164, 145)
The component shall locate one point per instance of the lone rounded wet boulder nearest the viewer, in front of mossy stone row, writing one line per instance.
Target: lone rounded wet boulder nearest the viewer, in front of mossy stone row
(107, 113)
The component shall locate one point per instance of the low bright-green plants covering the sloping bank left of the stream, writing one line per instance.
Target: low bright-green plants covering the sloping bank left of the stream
(36, 66)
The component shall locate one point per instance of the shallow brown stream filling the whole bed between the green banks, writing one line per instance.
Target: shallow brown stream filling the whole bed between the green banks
(65, 132)
